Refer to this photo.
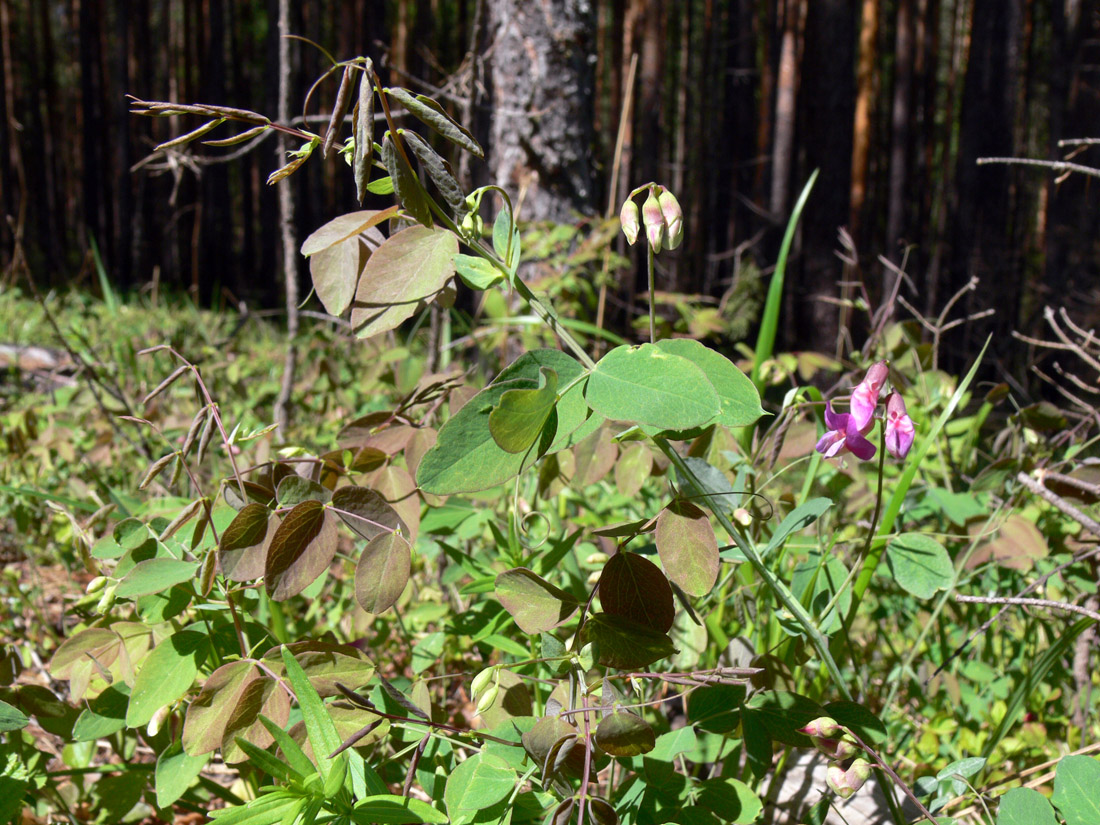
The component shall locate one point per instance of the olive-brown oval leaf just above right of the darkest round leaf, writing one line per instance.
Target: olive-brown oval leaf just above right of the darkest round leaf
(688, 547)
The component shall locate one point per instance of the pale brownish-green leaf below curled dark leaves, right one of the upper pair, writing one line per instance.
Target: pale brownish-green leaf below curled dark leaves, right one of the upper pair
(413, 266)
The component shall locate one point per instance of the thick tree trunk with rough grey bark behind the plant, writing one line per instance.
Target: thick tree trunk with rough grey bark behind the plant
(542, 89)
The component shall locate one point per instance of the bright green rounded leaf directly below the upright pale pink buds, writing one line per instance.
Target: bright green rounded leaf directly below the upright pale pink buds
(650, 387)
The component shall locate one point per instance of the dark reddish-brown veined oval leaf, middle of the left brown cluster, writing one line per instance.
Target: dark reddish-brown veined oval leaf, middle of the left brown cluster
(302, 549)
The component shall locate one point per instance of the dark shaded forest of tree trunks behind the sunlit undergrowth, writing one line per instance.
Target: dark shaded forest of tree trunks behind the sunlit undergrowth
(733, 105)
